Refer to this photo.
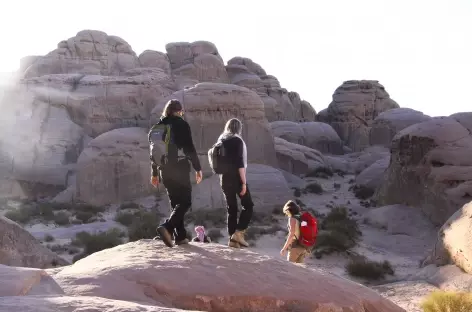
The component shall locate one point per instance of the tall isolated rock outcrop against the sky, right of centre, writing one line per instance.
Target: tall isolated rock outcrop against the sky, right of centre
(355, 105)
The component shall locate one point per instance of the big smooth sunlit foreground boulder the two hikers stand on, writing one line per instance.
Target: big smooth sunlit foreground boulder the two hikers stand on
(226, 280)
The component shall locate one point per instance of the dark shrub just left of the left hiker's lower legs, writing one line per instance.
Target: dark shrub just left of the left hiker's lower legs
(143, 226)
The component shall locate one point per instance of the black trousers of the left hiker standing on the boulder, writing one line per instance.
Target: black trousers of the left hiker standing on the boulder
(176, 180)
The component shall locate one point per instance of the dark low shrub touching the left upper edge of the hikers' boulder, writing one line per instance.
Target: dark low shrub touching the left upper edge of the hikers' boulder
(96, 242)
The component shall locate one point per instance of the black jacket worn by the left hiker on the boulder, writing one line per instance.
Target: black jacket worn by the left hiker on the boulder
(182, 138)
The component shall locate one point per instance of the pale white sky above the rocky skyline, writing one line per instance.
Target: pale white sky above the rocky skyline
(420, 50)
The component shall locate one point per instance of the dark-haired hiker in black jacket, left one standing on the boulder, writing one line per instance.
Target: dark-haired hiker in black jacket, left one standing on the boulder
(175, 169)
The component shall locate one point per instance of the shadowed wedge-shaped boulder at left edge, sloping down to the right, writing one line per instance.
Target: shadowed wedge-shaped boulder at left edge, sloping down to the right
(19, 248)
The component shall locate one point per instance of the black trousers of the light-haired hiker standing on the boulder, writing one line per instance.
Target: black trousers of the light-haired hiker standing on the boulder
(231, 186)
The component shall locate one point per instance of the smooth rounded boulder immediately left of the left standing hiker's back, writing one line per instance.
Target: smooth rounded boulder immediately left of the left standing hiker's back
(114, 167)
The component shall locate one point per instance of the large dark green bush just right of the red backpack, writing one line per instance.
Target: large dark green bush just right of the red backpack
(338, 232)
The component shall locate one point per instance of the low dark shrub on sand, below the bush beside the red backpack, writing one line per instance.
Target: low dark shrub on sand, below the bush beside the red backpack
(371, 270)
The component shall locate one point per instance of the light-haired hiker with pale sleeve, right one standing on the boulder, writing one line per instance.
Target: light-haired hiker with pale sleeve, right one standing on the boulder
(233, 183)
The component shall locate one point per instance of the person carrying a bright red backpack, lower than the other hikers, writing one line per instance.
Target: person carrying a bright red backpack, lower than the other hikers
(299, 242)
